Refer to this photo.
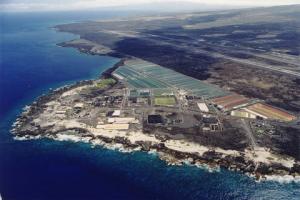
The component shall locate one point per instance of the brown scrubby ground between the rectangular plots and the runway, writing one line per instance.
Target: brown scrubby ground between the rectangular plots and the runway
(275, 88)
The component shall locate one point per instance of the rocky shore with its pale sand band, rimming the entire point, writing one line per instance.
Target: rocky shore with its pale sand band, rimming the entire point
(173, 152)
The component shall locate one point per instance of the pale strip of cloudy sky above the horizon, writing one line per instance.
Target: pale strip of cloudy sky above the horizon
(59, 5)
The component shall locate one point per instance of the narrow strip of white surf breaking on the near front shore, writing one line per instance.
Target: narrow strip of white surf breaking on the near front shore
(166, 157)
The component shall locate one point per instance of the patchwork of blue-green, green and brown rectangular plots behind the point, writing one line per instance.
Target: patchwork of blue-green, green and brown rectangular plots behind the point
(150, 85)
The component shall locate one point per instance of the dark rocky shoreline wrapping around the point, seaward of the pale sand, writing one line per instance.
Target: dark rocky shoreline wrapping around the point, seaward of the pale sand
(25, 128)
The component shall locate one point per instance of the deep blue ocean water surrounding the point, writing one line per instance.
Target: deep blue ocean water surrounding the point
(30, 64)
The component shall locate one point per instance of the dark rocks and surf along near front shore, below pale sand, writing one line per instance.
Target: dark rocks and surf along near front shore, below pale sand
(210, 159)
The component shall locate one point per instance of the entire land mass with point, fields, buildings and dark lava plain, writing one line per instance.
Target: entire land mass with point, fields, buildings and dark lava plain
(183, 90)
